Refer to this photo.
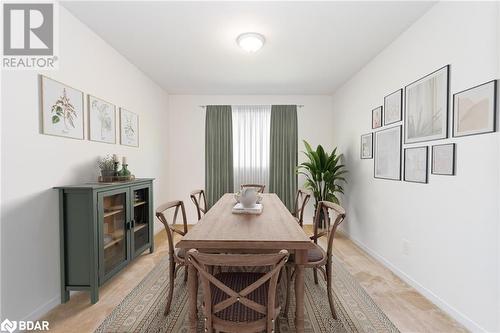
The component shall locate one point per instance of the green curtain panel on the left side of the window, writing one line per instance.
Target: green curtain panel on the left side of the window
(218, 152)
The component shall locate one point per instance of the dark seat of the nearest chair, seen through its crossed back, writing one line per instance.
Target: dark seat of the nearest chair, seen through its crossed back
(237, 281)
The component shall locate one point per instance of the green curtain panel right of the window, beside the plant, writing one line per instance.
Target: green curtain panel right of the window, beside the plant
(283, 153)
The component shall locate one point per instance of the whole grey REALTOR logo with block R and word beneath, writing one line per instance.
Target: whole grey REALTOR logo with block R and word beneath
(29, 35)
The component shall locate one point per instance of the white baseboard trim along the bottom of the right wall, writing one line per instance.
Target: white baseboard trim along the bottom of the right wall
(443, 305)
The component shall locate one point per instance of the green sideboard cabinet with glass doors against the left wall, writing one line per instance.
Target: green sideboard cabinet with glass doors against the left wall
(103, 227)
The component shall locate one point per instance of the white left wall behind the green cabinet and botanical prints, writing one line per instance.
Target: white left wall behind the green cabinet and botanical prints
(33, 163)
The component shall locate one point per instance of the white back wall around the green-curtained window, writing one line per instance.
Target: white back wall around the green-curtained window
(187, 136)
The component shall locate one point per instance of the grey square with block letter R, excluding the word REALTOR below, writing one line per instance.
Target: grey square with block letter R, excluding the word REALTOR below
(28, 29)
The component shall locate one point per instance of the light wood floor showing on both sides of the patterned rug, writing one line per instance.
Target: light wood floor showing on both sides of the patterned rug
(404, 306)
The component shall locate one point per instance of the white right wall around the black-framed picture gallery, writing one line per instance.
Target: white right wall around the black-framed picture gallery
(452, 223)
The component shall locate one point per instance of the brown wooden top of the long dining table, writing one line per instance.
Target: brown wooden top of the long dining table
(274, 228)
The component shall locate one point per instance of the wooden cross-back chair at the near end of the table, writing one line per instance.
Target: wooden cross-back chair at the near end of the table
(240, 302)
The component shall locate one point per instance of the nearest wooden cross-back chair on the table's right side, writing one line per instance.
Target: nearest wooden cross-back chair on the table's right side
(318, 259)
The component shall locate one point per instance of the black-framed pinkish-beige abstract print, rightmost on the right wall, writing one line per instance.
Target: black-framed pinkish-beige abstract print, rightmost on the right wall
(474, 110)
